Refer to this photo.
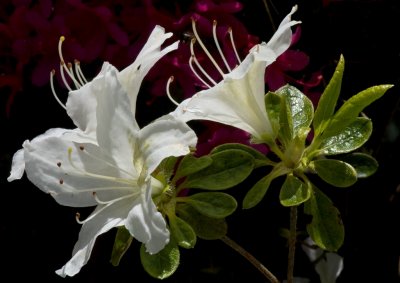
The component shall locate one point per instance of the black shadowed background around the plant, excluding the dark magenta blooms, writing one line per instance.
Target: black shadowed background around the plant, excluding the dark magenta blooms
(37, 235)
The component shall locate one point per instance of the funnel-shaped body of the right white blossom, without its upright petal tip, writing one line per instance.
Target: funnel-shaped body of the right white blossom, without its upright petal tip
(235, 102)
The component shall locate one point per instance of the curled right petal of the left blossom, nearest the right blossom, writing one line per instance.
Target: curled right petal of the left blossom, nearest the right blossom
(162, 138)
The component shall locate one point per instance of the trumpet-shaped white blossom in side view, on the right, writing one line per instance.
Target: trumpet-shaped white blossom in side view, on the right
(238, 100)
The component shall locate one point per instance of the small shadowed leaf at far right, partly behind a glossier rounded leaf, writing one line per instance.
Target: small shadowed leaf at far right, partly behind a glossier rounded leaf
(364, 164)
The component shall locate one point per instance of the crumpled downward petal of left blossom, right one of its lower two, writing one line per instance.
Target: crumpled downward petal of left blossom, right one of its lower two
(146, 224)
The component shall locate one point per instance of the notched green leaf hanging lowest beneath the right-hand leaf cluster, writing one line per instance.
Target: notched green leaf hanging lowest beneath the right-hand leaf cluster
(326, 228)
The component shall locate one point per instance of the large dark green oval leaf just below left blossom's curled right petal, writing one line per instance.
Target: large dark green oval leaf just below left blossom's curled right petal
(229, 168)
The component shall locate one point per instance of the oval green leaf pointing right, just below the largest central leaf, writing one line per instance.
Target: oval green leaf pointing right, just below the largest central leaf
(213, 204)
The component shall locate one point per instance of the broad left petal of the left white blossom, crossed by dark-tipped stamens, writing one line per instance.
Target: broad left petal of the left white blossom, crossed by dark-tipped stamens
(71, 180)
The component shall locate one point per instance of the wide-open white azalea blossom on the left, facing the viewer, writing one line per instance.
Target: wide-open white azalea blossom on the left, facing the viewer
(108, 160)
